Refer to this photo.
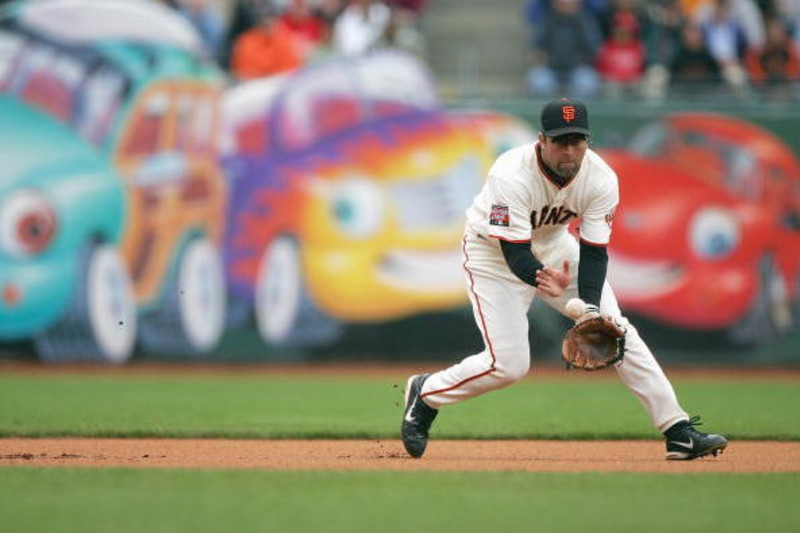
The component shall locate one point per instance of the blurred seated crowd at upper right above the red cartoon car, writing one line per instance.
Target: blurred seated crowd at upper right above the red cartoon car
(651, 48)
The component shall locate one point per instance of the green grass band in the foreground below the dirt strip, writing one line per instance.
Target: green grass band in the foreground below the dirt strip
(122, 500)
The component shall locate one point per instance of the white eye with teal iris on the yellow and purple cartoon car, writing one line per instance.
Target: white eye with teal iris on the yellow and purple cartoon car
(358, 207)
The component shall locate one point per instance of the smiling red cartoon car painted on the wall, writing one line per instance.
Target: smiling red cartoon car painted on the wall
(707, 236)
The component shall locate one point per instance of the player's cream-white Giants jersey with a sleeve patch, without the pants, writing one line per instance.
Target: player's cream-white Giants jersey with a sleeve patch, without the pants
(519, 202)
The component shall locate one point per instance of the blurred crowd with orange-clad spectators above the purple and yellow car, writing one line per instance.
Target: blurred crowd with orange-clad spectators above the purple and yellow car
(257, 38)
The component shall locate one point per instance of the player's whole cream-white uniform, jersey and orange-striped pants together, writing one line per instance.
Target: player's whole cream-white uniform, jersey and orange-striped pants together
(520, 203)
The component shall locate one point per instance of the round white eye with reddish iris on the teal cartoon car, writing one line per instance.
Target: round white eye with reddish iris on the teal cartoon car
(27, 224)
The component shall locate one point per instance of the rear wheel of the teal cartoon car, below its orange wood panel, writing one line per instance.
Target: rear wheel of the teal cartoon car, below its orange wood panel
(191, 317)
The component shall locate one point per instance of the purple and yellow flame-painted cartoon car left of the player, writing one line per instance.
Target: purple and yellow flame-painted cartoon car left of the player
(348, 188)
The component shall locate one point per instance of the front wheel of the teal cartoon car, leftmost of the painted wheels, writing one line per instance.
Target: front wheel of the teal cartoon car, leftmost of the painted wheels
(100, 324)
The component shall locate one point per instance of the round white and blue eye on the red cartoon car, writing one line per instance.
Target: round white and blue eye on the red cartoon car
(714, 233)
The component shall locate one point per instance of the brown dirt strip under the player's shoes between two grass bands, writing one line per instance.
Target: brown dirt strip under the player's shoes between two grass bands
(528, 456)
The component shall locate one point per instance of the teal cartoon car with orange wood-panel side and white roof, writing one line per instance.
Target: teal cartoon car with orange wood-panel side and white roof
(111, 197)
